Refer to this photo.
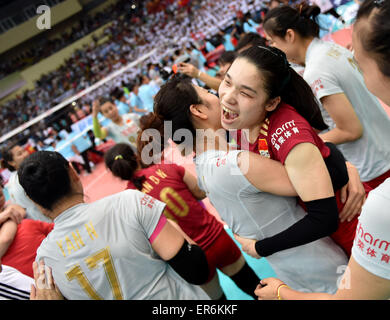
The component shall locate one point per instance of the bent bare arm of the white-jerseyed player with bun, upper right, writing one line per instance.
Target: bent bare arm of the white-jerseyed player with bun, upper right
(348, 127)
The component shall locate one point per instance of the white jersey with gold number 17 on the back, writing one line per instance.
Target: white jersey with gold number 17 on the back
(102, 251)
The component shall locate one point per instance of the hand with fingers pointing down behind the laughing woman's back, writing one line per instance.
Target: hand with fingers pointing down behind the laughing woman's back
(353, 195)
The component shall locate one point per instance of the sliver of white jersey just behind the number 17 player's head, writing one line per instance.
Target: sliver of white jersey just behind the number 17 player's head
(18, 196)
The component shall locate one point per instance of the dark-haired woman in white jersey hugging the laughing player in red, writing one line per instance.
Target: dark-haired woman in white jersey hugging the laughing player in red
(237, 183)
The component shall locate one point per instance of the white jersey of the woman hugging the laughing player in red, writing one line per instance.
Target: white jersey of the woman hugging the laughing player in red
(250, 213)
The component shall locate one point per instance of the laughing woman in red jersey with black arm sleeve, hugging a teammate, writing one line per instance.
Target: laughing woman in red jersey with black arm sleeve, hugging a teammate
(280, 111)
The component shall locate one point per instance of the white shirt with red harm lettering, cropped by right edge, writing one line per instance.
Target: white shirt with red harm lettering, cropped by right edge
(371, 248)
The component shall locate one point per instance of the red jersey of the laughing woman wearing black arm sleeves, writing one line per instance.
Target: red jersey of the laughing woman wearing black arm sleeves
(280, 132)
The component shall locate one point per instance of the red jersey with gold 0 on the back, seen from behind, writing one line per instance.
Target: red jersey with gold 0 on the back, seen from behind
(165, 183)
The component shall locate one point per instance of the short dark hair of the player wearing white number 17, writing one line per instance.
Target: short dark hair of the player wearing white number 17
(44, 176)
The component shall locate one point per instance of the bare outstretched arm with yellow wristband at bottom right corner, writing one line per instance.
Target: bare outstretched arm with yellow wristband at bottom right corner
(356, 284)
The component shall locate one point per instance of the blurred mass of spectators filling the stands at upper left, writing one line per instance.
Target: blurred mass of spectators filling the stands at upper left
(129, 39)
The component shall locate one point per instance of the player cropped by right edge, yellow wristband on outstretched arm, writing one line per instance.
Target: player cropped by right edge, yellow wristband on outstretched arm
(368, 273)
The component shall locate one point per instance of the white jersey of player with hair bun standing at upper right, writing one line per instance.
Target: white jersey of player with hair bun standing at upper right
(331, 69)
